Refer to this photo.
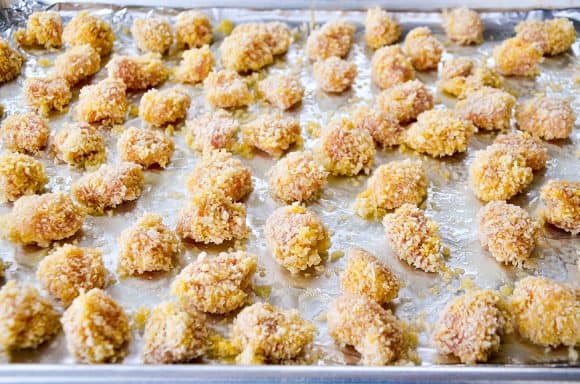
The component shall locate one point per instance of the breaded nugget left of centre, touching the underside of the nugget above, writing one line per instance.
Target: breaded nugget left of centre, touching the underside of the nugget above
(210, 217)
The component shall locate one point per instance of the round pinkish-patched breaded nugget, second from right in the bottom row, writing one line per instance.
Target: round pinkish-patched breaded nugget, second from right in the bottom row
(471, 326)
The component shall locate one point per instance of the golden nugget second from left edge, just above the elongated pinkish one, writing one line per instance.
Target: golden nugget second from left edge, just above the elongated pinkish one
(79, 145)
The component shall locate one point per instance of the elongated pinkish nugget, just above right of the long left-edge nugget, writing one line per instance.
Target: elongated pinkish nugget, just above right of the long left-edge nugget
(109, 186)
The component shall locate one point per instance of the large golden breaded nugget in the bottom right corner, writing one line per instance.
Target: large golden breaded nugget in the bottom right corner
(546, 312)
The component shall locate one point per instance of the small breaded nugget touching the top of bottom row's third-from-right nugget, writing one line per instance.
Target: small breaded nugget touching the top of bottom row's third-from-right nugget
(367, 276)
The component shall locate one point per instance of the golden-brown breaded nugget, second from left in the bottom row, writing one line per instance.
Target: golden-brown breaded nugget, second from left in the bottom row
(96, 328)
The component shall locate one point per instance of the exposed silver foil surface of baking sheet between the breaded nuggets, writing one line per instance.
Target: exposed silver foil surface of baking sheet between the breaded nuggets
(449, 200)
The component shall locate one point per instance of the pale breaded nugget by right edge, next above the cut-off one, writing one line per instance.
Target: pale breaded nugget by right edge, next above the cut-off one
(548, 118)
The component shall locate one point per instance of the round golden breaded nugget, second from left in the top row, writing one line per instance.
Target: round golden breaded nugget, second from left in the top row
(87, 29)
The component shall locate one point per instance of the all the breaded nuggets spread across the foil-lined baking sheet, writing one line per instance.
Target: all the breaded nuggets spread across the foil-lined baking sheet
(96, 327)
